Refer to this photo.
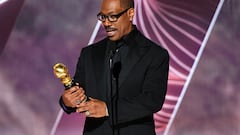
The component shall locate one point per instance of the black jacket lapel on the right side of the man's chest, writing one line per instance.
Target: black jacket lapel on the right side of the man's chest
(136, 52)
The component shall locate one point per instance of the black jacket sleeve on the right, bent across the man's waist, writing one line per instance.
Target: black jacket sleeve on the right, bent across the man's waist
(152, 95)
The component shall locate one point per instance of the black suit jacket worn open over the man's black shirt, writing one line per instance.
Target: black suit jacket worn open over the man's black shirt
(142, 85)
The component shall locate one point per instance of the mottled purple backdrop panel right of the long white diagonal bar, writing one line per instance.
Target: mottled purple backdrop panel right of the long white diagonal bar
(211, 103)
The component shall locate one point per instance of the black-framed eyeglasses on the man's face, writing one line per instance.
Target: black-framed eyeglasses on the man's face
(111, 18)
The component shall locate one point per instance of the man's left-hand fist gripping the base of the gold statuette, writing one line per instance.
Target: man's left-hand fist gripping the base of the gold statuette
(73, 96)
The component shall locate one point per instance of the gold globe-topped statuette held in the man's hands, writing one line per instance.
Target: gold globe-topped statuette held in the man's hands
(61, 71)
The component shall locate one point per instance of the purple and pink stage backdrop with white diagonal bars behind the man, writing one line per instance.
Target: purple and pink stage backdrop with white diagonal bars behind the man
(47, 32)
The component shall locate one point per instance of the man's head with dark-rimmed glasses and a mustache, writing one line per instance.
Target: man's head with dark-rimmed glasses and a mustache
(123, 11)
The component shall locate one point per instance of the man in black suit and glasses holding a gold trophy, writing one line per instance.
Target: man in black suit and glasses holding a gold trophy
(124, 77)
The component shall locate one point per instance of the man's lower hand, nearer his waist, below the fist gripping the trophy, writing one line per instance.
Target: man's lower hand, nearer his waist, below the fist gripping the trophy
(93, 108)
